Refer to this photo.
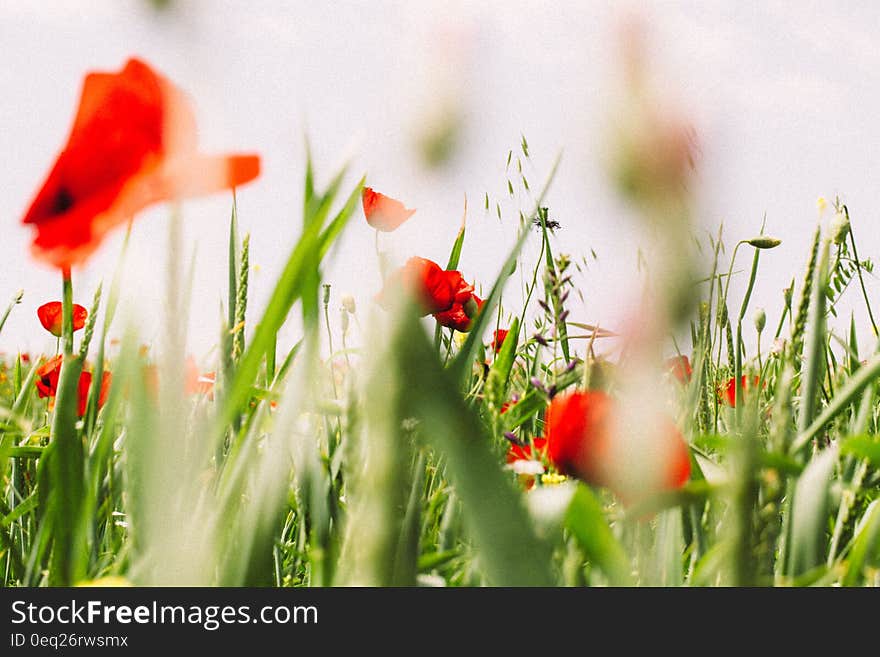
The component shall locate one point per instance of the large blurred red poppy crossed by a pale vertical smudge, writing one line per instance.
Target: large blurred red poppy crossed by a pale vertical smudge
(579, 431)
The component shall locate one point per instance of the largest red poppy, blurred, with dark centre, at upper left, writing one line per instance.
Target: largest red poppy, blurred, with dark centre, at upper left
(132, 144)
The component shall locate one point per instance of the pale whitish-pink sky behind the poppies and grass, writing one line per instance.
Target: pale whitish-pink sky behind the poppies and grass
(784, 97)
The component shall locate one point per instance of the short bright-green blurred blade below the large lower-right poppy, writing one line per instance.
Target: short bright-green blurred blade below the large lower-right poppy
(586, 522)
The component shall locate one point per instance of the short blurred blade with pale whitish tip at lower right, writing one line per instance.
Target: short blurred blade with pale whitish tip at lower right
(809, 514)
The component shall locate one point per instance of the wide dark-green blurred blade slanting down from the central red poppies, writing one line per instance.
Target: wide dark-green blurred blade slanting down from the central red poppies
(509, 551)
